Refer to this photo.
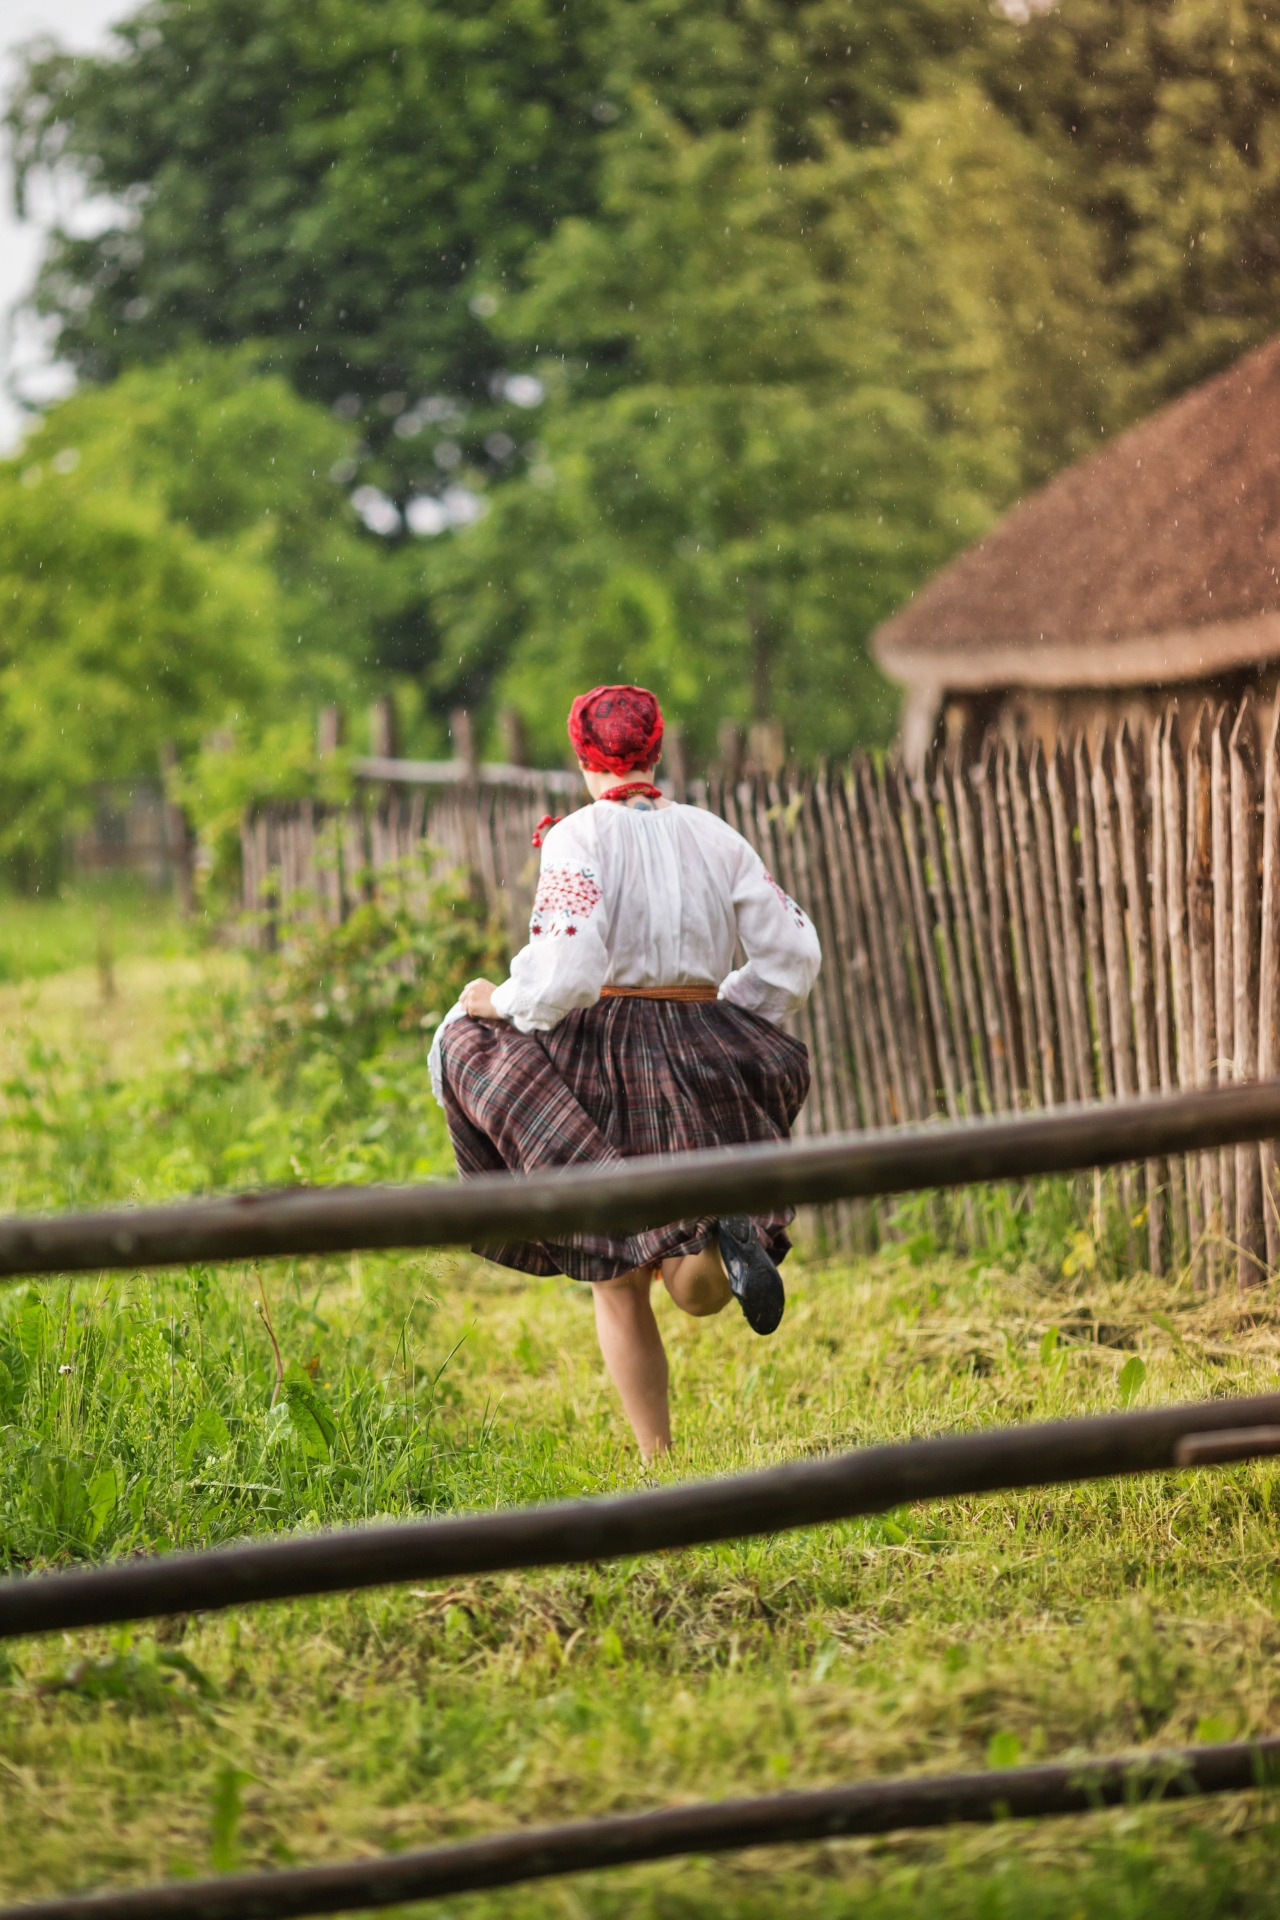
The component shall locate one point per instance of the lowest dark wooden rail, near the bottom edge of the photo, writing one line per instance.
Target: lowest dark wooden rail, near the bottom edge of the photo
(713, 1827)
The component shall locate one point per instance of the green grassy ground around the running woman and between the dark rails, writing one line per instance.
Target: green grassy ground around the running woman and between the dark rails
(137, 1414)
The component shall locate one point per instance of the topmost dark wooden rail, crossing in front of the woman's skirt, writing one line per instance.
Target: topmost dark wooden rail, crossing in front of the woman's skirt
(646, 1193)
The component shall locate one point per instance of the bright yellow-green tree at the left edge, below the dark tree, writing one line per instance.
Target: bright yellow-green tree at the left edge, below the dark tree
(122, 631)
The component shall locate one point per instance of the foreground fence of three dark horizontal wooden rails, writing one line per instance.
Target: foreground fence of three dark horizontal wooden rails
(801, 1495)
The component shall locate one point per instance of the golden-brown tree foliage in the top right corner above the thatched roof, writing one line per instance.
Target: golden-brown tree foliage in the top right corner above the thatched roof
(1166, 116)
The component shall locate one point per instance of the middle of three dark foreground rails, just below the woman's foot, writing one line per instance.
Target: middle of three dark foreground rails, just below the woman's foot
(698, 1512)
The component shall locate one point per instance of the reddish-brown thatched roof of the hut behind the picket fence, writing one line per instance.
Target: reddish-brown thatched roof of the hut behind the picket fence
(1154, 562)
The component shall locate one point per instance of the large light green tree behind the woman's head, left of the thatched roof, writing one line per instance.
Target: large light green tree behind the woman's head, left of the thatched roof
(832, 375)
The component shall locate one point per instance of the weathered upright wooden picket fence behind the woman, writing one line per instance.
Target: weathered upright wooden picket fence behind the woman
(1018, 932)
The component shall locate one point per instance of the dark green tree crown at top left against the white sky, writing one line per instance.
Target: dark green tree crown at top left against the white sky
(316, 174)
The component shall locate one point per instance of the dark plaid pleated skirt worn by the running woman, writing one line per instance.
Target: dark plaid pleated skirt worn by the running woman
(617, 1082)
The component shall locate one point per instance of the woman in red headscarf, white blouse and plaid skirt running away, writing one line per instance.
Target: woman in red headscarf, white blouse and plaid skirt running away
(627, 1030)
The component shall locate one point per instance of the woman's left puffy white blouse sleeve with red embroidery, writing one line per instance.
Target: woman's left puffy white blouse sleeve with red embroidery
(567, 957)
